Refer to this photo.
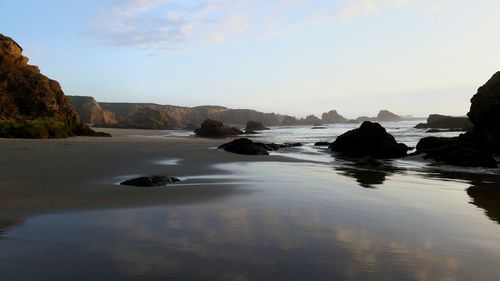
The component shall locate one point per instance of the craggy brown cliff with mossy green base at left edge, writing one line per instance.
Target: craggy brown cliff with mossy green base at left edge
(32, 105)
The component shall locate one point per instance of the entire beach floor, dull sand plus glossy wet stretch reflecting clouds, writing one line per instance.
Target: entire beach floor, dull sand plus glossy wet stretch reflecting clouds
(64, 216)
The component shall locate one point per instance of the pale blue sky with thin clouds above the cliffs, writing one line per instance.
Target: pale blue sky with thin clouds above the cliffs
(297, 57)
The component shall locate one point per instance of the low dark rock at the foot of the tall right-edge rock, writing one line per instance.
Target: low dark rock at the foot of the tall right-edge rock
(458, 151)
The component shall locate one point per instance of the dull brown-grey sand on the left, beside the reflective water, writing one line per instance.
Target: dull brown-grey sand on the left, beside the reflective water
(82, 172)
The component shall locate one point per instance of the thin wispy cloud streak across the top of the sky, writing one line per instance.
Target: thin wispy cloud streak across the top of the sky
(187, 24)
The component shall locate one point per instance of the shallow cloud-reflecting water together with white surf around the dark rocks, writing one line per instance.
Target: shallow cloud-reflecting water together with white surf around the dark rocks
(318, 219)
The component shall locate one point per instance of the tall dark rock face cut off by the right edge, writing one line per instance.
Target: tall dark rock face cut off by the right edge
(485, 113)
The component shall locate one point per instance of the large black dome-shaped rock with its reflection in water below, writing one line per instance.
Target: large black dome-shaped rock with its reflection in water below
(369, 140)
